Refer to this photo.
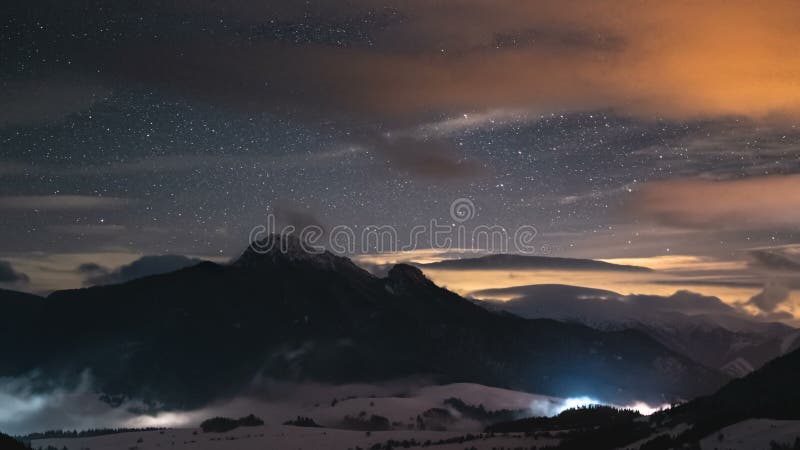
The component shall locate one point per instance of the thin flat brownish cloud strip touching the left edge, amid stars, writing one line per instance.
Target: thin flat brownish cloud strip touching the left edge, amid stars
(61, 202)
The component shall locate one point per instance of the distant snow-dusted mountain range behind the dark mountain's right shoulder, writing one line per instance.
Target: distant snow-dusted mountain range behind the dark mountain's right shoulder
(703, 328)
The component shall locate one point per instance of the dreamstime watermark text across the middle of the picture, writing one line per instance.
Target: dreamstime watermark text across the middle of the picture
(380, 239)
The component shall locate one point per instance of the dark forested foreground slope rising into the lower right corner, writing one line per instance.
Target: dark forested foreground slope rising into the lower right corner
(767, 393)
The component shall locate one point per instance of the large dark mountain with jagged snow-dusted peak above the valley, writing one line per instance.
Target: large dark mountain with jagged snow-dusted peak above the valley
(184, 338)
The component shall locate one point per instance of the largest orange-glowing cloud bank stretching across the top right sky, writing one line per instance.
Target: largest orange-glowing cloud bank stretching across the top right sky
(481, 55)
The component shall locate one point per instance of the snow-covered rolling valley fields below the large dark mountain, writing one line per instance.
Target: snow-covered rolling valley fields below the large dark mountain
(327, 406)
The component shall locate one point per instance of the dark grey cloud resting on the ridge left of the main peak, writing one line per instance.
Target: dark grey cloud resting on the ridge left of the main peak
(142, 267)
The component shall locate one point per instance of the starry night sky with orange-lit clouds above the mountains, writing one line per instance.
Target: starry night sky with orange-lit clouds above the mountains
(663, 135)
